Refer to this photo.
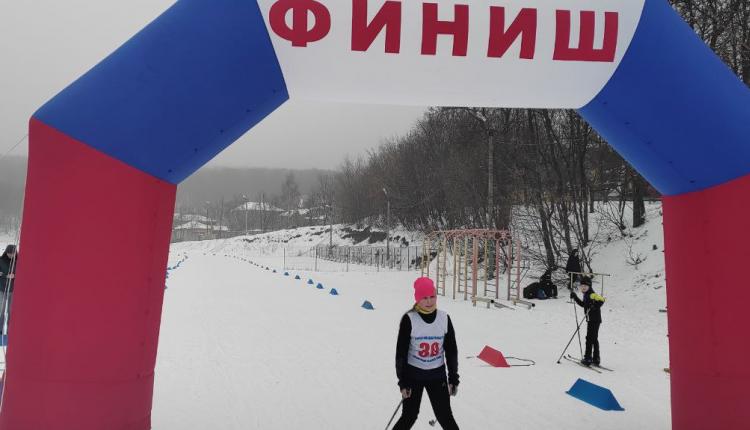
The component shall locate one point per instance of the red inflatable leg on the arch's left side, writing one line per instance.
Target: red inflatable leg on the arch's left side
(86, 314)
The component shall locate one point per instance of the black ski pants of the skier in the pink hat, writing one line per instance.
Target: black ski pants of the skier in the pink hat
(440, 399)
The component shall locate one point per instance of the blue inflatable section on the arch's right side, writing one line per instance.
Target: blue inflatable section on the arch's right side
(673, 109)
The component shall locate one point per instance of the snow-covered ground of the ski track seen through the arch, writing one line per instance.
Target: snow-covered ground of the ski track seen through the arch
(244, 348)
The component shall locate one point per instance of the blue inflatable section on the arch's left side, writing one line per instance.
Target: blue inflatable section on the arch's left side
(179, 92)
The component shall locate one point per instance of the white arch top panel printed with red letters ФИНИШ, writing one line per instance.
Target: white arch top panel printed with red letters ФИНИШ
(508, 53)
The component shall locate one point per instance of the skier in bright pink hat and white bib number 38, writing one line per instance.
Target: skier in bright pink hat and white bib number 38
(426, 344)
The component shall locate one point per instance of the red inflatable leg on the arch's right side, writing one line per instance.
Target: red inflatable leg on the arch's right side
(707, 241)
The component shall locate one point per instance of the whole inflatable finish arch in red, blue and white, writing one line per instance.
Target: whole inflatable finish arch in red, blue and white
(107, 152)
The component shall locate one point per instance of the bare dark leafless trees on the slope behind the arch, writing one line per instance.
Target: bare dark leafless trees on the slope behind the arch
(540, 170)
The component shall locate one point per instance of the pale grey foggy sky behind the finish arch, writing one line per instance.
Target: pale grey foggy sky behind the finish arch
(47, 44)
